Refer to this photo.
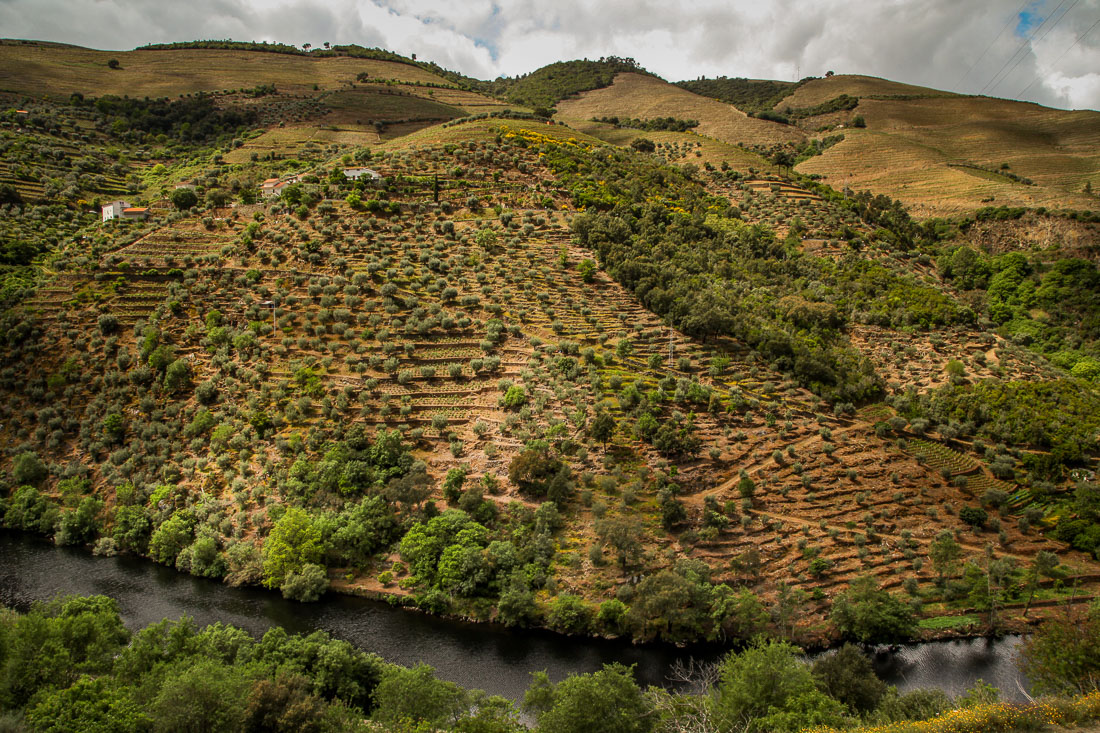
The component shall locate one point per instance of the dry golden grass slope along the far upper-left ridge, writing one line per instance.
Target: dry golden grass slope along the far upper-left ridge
(59, 70)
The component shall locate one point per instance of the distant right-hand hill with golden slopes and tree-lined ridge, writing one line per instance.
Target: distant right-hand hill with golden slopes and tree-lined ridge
(941, 154)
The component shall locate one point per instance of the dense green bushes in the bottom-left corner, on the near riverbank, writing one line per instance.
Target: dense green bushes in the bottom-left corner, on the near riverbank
(72, 666)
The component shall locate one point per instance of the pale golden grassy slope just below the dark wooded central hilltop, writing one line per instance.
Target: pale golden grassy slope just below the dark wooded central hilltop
(646, 97)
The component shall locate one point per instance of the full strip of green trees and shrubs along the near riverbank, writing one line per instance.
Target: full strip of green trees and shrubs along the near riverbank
(71, 665)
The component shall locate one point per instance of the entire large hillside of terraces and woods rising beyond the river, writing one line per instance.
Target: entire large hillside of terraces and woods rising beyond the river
(544, 375)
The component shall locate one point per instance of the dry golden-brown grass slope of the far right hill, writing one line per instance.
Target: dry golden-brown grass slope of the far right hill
(908, 147)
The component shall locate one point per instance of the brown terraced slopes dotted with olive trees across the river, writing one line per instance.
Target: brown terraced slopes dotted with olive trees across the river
(423, 320)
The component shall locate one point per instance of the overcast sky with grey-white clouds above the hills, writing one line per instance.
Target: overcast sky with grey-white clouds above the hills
(1044, 51)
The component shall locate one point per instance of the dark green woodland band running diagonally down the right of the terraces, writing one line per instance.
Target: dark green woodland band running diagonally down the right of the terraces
(689, 259)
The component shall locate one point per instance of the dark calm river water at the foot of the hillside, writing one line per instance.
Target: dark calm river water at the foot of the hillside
(497, 660)
